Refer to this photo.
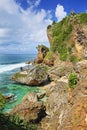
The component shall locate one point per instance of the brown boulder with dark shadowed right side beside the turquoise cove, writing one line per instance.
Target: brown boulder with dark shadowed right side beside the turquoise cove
(30, 109)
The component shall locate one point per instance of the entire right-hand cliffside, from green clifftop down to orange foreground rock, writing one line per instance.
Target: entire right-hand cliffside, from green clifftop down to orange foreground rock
(66, 107)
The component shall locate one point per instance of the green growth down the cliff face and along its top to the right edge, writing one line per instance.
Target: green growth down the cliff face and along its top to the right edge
(61, 33)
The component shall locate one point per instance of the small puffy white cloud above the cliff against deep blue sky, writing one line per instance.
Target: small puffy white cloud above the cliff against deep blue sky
(60, 13)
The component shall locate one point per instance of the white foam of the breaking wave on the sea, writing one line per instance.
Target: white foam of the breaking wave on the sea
(4, 68)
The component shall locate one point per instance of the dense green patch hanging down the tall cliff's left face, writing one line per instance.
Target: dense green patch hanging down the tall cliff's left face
(61, 33)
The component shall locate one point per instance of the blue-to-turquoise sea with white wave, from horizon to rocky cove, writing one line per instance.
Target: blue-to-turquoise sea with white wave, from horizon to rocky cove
(9, 64)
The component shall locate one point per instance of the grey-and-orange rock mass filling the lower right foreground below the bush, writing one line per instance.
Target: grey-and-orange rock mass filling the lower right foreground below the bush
(66, 109)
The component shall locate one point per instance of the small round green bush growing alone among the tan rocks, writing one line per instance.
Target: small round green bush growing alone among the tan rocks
(72, 80)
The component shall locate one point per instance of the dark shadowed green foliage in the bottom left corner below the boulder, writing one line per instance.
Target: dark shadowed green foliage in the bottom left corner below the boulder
(14, 123)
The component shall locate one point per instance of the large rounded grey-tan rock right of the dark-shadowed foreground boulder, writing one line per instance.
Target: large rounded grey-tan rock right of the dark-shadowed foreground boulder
(58, 98)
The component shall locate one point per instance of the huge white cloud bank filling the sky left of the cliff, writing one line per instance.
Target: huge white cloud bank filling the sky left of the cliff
(22, 30)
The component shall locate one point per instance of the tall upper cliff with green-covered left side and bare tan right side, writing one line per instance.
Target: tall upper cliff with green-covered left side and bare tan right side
(68, 38)
